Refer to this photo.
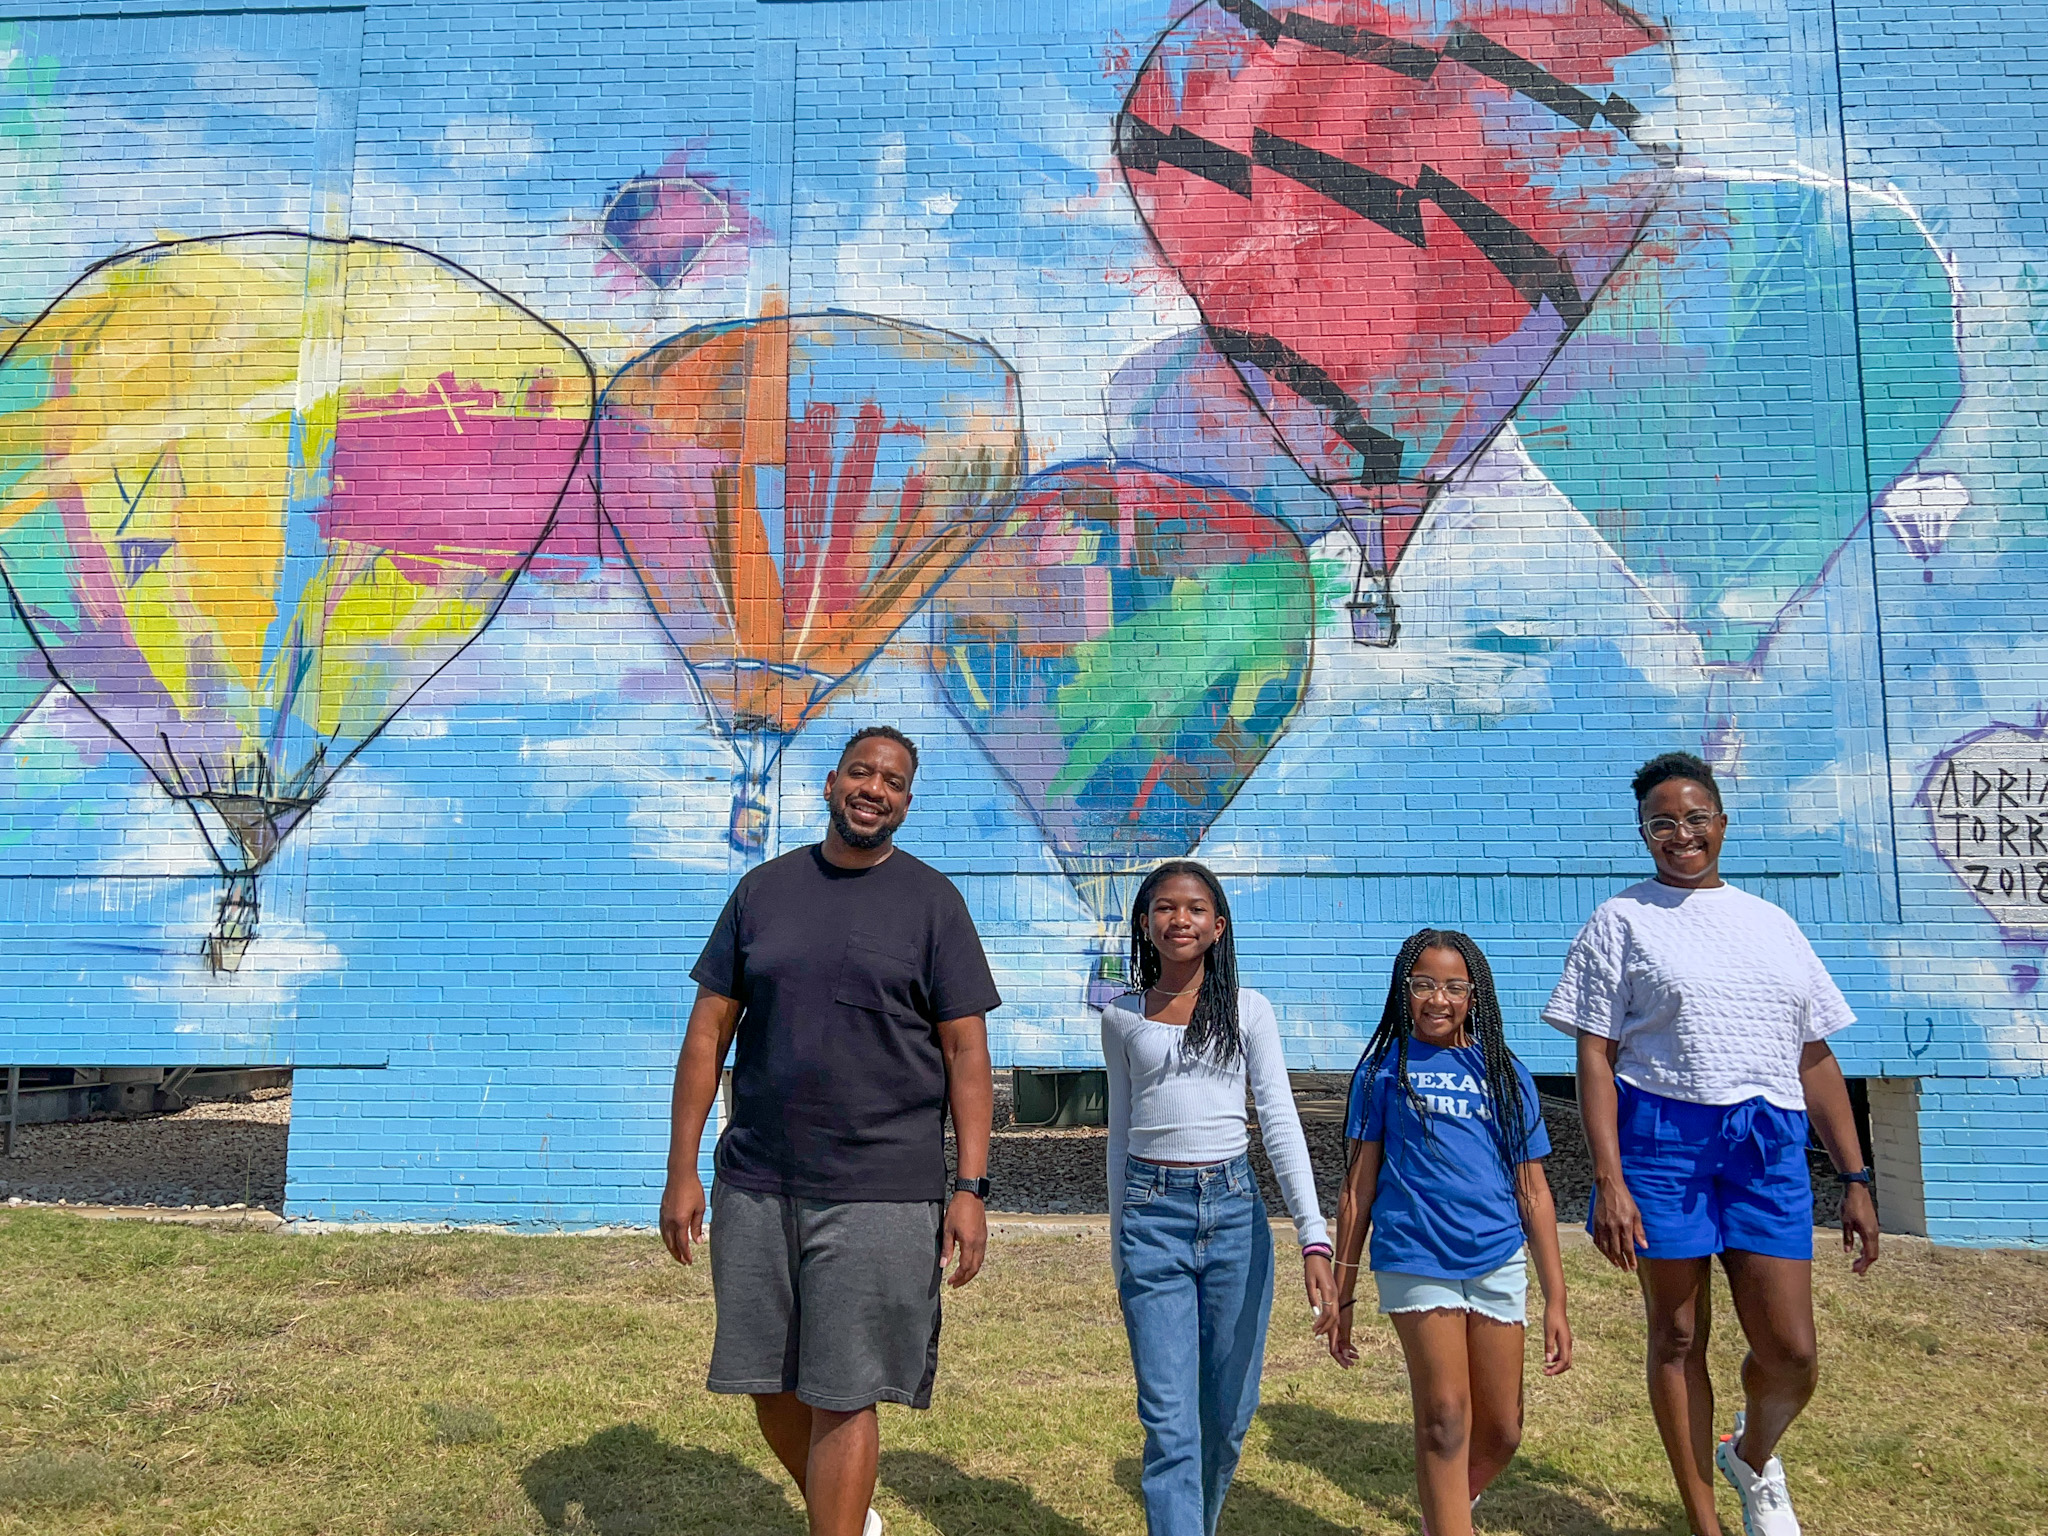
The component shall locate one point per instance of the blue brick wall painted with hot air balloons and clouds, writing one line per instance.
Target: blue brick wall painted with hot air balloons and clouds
(372, 697)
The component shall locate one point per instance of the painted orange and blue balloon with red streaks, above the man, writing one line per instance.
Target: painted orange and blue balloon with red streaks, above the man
(790, 490)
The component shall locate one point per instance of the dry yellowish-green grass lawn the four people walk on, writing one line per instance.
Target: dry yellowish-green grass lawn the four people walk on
(159, 1379)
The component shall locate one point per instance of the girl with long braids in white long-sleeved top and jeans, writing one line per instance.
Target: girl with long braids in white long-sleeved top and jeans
(1189, 1230)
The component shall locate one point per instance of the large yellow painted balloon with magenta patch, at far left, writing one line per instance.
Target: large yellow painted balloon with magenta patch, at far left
(257, 490)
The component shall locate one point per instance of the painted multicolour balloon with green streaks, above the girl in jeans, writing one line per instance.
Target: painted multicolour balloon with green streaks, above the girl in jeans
(1125, 648)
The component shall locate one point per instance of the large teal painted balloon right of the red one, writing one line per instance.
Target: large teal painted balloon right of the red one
(1699, 419)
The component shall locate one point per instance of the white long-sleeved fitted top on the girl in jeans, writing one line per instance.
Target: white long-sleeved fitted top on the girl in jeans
(1168, 1107)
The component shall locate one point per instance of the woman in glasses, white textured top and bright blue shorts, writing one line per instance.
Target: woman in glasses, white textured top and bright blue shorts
(1703, 1021)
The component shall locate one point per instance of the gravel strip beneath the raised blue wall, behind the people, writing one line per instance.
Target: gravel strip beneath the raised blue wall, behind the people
(230, 1154)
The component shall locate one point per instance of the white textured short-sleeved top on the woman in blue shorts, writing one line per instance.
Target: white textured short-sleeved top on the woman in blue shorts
(1713, 994)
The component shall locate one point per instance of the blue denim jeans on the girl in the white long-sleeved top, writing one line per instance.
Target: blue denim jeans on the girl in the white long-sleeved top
(1195, 1246)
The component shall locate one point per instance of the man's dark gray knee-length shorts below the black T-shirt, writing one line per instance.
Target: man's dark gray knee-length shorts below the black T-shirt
(833, 1302)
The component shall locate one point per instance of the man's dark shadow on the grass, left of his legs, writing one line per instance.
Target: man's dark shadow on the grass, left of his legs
(628, 1482)
